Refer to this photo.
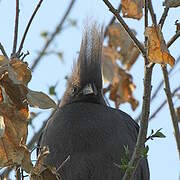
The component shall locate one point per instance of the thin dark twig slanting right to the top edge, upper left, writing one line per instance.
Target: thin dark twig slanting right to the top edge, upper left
(28, 26)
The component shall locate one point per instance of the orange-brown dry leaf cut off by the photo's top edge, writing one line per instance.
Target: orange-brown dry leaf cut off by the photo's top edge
(132, 8)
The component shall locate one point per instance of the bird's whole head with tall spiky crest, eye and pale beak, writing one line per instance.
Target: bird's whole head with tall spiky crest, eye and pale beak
(85, 83)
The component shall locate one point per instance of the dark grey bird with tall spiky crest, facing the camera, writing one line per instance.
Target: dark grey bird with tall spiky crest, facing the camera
(86, 138)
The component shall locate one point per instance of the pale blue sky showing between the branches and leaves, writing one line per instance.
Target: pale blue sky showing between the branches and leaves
(163, 157)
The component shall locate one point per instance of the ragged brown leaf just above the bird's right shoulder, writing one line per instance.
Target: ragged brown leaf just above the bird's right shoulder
(122, 89)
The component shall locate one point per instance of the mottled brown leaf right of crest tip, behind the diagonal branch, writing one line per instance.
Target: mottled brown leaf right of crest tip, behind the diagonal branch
(118, 38)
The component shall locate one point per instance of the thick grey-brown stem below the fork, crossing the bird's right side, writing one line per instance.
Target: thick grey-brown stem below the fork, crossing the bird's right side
(143, 125)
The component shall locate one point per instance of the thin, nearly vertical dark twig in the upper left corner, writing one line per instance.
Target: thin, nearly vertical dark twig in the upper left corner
(15, 29)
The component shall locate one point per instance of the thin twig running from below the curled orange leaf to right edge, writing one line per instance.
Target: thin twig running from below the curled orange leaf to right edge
(171, 108)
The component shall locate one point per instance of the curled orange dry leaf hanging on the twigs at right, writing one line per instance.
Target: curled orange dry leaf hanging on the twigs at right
(157, 49)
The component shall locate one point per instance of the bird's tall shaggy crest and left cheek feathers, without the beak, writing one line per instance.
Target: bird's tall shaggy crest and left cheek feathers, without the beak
(87, 70)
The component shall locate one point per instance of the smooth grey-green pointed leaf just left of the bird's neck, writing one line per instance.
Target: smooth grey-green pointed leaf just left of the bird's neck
(40, 100)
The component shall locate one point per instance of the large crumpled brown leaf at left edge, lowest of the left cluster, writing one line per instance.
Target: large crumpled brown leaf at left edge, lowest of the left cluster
(15, 134)
